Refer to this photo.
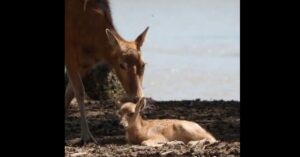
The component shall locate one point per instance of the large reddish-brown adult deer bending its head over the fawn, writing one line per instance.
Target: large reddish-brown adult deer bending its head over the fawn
(90, 38)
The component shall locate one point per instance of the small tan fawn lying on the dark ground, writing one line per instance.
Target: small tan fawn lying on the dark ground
(157, 132)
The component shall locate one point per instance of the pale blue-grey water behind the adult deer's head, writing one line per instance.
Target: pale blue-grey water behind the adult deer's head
(192, 47)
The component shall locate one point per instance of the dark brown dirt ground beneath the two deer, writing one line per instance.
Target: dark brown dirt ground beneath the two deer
(221, 118)
